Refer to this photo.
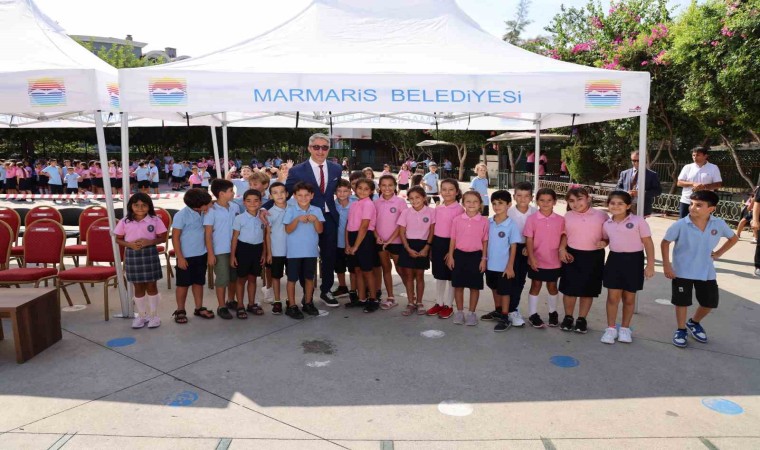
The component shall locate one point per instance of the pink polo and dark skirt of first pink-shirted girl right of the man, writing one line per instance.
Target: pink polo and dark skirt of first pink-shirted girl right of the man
(365, 257)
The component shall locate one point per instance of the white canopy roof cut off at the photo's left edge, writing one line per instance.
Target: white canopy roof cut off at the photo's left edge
(43, 71)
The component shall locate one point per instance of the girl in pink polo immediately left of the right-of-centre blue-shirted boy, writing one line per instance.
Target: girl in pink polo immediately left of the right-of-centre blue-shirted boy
(468, 253)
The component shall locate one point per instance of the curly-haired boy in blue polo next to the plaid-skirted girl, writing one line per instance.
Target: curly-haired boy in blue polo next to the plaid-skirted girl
(188, 239)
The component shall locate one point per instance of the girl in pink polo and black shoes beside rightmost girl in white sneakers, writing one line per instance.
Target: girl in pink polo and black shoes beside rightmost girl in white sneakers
(582, 260)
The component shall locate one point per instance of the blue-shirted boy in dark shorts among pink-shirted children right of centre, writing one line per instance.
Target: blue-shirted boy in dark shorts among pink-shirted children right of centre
(503, 236)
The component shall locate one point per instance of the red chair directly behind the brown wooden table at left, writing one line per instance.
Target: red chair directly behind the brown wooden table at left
(43, 244)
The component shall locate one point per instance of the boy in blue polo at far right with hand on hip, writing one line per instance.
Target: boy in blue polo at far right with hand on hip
(695, 237)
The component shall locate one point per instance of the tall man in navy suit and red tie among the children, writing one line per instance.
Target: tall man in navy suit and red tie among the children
(324, 176)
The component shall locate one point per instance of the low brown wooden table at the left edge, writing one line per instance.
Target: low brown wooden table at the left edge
(36, 317)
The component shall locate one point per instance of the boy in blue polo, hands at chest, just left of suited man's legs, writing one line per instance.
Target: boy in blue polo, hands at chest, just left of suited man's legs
(303, 223)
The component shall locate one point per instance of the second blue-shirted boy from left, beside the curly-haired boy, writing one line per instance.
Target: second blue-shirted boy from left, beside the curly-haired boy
(218, 236)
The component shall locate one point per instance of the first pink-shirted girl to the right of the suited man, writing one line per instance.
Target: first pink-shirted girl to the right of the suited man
(360, 245)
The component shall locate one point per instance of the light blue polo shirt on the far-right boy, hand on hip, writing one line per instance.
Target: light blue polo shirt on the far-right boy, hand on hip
(693, 247)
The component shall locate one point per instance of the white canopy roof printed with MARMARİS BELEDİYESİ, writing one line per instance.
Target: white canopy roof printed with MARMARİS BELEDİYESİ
(393, 56)
